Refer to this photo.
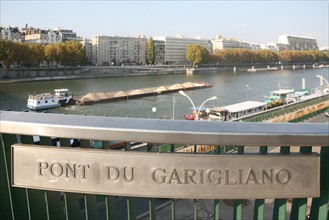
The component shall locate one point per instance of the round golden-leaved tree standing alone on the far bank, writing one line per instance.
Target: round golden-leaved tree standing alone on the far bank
(196, 54)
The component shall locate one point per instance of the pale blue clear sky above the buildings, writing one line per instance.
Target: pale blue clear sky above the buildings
(258, 22)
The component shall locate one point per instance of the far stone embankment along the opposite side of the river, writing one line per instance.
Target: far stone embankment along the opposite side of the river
(16, 75)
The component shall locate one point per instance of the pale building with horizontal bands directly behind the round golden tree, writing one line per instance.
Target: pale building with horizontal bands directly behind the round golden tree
(175, 48)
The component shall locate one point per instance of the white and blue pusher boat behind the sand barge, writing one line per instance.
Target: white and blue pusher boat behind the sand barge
(59, 98)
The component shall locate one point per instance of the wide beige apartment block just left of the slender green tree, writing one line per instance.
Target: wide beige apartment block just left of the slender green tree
(110, 50)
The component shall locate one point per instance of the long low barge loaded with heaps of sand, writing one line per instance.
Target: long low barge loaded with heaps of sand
(92, 98)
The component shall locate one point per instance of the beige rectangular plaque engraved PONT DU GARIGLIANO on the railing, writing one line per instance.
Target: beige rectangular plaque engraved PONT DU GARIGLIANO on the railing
(158, 175)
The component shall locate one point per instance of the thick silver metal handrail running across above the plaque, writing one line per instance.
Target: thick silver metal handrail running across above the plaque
(164, 131)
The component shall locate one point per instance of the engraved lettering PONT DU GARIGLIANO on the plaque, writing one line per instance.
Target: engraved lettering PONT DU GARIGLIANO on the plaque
(202, 176)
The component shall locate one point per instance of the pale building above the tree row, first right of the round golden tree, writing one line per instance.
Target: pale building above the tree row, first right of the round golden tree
(221, 43)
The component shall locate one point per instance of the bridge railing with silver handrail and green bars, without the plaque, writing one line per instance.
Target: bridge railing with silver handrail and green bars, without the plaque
(20, 127)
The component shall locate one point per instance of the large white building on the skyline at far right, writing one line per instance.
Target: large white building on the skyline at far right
(298, 42)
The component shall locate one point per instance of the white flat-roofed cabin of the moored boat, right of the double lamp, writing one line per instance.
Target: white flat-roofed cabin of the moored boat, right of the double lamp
(238, 110)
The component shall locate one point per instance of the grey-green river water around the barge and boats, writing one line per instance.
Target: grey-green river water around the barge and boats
(228, 86)
